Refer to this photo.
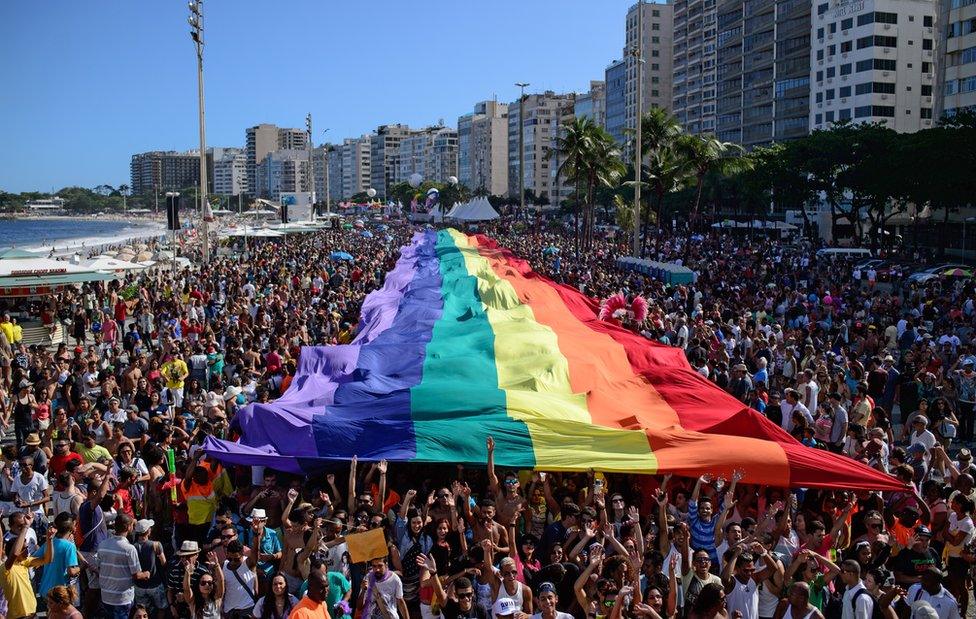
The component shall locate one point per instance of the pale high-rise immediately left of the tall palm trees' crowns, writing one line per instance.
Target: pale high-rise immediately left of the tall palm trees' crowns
(543, 114)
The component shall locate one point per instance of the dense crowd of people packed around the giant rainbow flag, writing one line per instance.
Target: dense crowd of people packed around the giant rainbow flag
(111, 508)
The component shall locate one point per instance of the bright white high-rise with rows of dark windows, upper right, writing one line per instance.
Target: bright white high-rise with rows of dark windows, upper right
(873, 61)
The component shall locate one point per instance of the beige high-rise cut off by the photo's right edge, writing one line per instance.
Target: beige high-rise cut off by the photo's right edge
(956, 87)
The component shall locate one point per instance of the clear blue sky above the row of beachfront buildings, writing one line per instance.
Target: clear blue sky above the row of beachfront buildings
(84, 85)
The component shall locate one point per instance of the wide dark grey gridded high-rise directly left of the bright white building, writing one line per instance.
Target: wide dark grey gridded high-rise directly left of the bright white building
(763, 61)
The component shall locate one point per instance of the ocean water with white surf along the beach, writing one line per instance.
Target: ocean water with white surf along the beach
(43, 234)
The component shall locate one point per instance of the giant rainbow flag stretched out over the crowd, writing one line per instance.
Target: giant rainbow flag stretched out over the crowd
(465, 341)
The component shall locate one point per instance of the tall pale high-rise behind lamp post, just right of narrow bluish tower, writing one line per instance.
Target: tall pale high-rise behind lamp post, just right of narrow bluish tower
(658, 30)
